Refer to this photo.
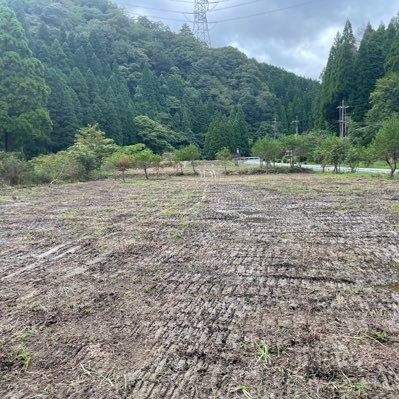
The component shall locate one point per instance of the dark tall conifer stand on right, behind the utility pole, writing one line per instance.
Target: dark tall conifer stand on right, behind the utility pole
(366, 76)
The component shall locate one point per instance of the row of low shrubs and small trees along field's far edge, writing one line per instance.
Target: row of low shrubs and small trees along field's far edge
(92, 151)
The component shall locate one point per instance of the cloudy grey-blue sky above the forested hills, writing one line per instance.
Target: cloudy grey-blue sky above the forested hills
(297, 39)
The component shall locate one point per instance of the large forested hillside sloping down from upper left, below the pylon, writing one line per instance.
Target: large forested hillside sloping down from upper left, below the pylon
(139, 81)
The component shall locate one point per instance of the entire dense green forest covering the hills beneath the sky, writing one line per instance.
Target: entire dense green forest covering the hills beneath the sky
(67, 64)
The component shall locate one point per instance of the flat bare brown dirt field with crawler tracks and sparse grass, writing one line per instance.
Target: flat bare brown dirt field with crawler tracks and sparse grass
(236, 287)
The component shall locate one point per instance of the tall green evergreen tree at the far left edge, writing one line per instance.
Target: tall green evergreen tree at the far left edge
(24, 119)
